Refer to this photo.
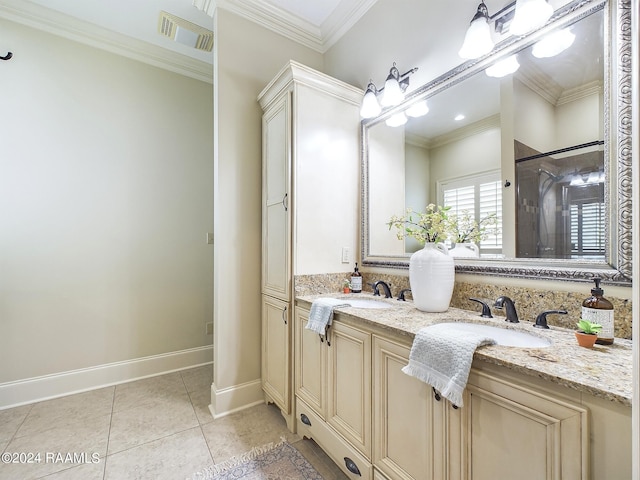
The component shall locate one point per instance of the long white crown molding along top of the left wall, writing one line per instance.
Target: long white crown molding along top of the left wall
(65, 26)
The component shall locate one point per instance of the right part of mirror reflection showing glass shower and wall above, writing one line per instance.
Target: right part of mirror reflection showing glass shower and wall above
(558, 138)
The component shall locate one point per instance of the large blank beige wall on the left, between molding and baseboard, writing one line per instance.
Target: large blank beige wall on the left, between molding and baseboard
(106, 186)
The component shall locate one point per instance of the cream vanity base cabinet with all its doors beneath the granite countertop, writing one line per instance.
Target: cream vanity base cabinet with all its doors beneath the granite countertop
(353, 399)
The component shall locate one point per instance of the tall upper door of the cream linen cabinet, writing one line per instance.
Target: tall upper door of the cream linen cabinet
(276, 180)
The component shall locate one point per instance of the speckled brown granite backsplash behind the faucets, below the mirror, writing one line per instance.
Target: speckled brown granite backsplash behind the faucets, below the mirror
(529, 302)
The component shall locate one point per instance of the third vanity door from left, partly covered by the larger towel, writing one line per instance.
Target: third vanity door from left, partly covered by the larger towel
(402, 416)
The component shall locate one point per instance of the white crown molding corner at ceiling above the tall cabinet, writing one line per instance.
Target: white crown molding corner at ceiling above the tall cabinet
(318, 38)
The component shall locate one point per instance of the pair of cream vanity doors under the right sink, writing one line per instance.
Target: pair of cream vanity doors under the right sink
(504, 430)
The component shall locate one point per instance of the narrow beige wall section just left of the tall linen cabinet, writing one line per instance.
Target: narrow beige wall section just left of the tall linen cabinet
(247, 57)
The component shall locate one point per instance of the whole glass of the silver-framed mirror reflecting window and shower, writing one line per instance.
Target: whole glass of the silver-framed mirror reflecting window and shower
(529, 146)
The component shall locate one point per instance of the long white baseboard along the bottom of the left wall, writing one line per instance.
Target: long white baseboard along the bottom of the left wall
(21, 392)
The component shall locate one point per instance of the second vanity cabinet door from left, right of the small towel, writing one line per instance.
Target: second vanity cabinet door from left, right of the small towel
(349, 385)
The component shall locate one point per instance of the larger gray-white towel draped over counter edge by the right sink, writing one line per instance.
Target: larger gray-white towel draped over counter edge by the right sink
(441, 356)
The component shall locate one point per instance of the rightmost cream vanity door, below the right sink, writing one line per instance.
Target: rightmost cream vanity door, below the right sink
(518, 433)
